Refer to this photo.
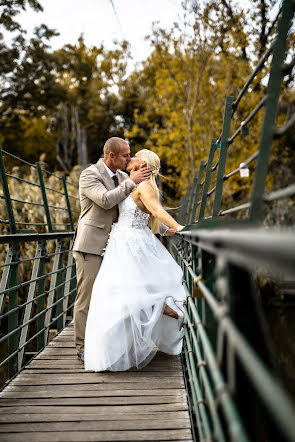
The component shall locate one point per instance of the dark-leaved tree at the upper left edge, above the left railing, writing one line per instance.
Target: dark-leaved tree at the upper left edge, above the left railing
(28, 87)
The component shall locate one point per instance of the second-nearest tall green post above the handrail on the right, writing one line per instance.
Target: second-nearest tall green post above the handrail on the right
(223, 154)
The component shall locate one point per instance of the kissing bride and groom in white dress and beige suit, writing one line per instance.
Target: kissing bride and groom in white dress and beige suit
(130, 296)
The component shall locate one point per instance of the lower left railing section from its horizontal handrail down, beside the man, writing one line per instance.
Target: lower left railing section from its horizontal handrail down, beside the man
(47, 301)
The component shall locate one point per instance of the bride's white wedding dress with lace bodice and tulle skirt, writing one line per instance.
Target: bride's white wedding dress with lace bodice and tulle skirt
(126, 324)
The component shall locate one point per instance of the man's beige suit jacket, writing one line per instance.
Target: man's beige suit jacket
(99, 201)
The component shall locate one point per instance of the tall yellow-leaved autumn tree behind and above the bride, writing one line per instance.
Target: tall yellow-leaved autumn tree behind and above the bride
(181, 91)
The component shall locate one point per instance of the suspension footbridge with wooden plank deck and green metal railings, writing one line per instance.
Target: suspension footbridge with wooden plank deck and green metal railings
(224, 386)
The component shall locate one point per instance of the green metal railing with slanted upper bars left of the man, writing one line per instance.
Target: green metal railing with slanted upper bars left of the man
(37, 270)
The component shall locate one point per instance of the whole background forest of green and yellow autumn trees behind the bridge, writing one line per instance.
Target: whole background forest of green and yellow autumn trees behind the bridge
(67, 102)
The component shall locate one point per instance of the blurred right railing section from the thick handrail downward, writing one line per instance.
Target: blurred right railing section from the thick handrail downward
(238, 252)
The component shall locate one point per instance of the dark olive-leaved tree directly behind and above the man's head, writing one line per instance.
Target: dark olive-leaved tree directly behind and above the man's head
(93, 79)
